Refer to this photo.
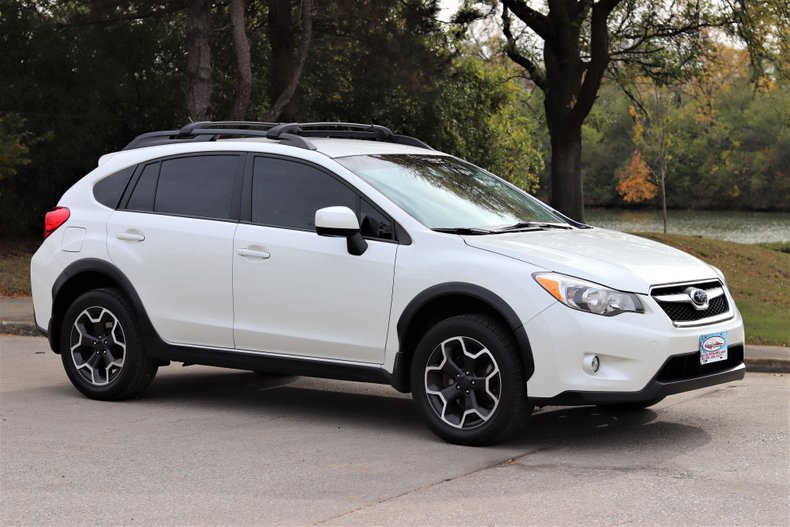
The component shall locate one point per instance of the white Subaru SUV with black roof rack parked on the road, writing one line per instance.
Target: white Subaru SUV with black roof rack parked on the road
(345, 251)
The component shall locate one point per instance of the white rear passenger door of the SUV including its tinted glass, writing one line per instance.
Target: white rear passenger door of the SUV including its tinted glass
(173, 239)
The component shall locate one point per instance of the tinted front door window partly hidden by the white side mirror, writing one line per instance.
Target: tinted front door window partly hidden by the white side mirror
(287, 194)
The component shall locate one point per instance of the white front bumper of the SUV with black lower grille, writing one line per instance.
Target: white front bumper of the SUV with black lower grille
(642, 356)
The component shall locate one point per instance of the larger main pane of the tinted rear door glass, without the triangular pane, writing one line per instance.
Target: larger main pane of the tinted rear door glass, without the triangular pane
(197, 186)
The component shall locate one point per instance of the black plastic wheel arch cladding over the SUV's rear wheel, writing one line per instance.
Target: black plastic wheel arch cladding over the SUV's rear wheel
(85, 275)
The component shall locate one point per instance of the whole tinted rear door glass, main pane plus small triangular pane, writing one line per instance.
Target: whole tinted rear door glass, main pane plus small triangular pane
(197, 186)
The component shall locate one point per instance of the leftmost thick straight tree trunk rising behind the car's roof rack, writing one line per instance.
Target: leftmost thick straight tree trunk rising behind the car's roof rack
(199, 60)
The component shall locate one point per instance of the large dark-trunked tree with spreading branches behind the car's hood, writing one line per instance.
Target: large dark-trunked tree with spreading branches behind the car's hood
(567, 46)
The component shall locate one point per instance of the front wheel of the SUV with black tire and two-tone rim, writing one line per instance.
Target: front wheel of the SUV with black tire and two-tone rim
(483, 381)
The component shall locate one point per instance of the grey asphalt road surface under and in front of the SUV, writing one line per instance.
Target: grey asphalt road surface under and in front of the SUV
(206, 446)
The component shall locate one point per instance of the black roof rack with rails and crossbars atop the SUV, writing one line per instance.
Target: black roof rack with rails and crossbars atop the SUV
(294, 134)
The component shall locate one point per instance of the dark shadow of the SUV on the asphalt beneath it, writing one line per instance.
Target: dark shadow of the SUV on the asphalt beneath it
(333, 403)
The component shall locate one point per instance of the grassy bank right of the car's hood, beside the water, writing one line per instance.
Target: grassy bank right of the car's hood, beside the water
(758, 278)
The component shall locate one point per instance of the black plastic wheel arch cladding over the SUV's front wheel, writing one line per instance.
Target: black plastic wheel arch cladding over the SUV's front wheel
(445, 300)
